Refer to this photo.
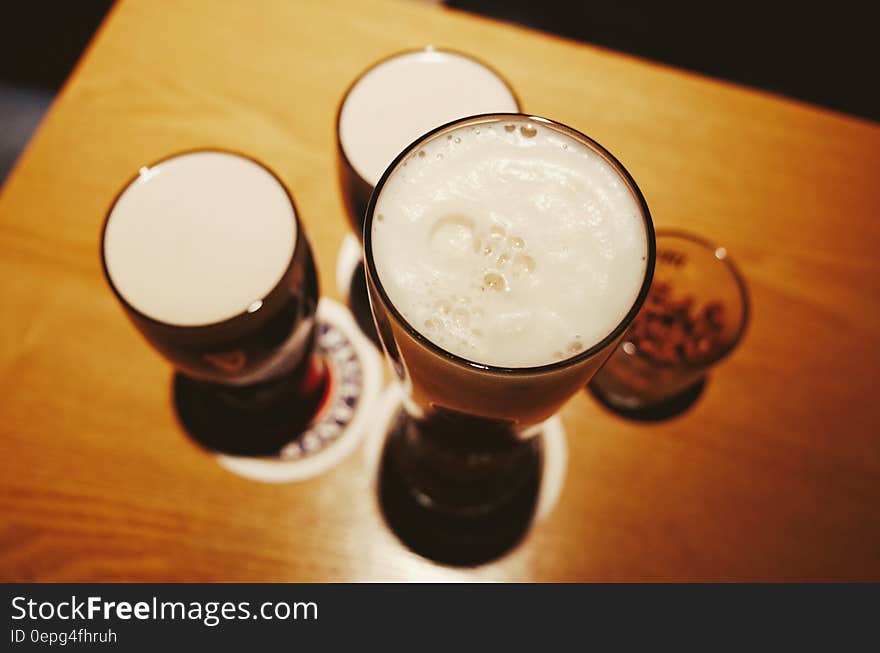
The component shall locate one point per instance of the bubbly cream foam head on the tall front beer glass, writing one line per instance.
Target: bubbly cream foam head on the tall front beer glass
(509, 243)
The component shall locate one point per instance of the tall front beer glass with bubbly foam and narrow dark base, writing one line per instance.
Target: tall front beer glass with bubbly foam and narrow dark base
(506, 255)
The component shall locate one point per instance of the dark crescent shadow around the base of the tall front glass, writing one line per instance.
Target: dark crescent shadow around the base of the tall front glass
(448, 539)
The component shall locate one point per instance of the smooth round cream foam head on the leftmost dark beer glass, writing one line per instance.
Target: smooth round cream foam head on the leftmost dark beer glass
(199, 238)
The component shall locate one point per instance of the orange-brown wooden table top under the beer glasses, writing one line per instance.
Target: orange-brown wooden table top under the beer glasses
(773, 474)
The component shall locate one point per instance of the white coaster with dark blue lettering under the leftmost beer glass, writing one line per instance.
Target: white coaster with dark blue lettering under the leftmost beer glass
(355, 377)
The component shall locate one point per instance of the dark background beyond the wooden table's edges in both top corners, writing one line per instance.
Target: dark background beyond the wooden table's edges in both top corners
(821, 52)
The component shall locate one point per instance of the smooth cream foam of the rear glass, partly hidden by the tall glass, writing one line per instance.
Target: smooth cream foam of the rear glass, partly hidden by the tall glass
(406, 96)
